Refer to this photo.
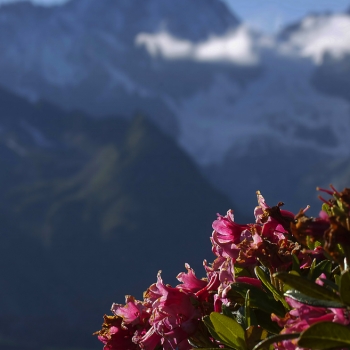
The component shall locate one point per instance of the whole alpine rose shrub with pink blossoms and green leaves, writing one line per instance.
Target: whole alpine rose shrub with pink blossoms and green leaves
(272, 283)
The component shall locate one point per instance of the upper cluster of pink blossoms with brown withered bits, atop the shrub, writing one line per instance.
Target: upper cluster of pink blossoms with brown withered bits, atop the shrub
(267, 240)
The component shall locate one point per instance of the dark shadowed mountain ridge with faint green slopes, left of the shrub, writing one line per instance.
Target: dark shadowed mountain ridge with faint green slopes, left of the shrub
(90, 211)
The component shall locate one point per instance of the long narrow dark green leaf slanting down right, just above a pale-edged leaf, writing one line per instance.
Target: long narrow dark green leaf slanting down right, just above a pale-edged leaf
(307, 287)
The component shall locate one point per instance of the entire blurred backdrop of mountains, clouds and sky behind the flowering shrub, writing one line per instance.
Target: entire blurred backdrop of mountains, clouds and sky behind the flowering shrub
(126, 125)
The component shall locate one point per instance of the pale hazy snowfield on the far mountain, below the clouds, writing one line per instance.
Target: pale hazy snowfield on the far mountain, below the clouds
(281, 105)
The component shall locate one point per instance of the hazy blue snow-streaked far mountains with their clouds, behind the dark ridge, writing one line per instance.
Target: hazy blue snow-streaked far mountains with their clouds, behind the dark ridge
(255, 112)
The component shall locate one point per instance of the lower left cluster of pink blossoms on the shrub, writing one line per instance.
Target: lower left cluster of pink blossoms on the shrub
(167, 316)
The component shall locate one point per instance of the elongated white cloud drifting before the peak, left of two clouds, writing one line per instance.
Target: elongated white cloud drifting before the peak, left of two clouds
(237, 47)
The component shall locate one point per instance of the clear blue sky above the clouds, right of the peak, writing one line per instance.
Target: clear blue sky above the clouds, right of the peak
(267, 15)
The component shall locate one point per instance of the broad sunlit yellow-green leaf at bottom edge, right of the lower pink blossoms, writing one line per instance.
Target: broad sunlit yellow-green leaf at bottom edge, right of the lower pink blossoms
(229, 331)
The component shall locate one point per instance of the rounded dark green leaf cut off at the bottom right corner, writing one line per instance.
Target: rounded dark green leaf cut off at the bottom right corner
(325, 335)
